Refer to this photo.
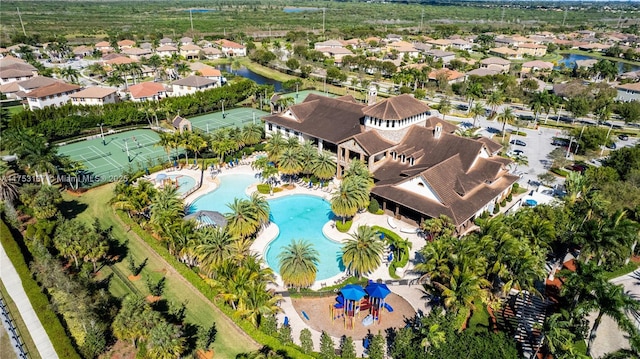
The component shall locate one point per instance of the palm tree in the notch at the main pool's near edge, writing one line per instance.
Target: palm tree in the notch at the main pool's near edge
(298, 264)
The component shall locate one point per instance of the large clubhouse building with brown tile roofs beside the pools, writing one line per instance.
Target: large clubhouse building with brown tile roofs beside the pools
(421, 168)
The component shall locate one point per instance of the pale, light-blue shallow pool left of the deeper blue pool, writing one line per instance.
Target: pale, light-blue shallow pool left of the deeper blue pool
(231, 187)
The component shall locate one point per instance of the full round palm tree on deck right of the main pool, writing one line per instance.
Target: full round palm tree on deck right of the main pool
(362, 253)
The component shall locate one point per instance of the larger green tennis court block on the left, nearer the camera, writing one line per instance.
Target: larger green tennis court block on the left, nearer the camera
(108, 160)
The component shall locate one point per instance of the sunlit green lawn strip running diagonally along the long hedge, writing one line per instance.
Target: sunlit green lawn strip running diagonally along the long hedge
(93, 204)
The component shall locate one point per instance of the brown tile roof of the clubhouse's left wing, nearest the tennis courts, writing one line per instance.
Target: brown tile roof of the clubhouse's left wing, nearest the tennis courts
(333, 120)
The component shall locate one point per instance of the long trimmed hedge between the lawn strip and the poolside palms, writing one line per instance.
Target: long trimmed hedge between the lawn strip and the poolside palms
(208, 292)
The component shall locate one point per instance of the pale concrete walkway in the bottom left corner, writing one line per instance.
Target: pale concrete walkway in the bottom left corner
(14, 287)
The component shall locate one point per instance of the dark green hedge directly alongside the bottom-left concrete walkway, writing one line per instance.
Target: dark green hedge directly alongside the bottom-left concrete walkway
(39, 301)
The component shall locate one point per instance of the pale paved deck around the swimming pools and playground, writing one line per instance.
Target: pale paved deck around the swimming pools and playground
(412, 293)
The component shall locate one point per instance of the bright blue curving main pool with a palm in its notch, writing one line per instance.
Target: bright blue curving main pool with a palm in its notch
(302, 217)
